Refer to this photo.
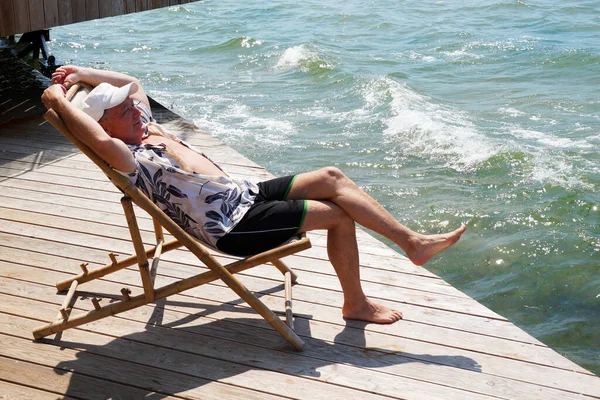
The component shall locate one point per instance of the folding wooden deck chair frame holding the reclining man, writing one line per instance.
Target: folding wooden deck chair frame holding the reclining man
(65, 321)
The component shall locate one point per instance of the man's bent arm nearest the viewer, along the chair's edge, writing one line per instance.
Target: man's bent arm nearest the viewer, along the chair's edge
(113, 151)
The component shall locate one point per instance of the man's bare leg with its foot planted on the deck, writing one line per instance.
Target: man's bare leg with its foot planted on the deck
(342, 250)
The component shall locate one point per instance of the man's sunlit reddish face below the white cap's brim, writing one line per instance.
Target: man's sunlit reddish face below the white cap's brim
(124, 122)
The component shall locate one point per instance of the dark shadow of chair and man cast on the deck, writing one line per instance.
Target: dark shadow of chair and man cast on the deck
(189, 352)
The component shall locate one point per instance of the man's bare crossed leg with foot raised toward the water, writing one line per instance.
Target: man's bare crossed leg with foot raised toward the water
(332, 185)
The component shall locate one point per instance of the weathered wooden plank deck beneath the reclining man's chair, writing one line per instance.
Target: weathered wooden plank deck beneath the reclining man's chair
(57, 210)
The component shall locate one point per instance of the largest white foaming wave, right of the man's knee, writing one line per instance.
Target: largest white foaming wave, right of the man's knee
(417, 126)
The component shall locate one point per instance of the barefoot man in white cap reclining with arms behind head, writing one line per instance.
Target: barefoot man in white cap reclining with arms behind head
(235, 216)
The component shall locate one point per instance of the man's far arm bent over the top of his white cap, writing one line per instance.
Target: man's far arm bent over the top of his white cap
(70, 74)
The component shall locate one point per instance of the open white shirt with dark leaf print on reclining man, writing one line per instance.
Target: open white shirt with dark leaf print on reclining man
(206, 207)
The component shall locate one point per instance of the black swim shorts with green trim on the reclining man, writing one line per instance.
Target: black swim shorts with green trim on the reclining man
(270, 221)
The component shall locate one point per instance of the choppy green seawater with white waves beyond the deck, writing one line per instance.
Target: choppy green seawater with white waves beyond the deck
(448, 112)
